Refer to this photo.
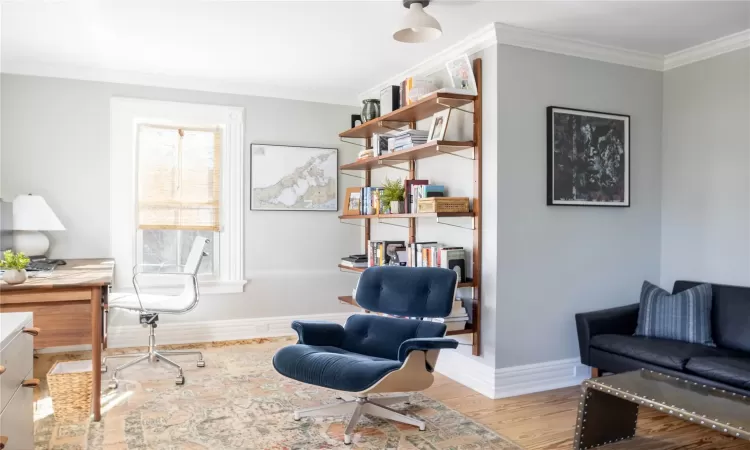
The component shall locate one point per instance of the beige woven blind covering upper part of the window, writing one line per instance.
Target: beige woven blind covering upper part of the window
(178, 178)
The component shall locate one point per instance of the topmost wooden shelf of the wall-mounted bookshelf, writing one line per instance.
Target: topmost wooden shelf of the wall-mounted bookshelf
(401, 117)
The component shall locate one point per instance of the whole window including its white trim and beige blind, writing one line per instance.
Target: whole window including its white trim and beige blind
(176, 172)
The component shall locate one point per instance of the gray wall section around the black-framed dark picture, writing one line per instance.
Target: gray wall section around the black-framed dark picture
(555, 261)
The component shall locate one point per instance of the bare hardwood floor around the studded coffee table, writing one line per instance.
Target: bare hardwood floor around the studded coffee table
(546, 421)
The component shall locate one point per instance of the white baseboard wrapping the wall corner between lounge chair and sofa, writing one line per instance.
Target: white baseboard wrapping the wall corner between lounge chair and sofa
(511, 381)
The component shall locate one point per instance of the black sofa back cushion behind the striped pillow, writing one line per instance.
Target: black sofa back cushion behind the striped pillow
(731, 314)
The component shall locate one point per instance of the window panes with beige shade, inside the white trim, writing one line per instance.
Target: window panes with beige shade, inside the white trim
(179, 184)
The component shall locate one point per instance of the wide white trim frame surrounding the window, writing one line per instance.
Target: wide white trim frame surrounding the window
(126, 114)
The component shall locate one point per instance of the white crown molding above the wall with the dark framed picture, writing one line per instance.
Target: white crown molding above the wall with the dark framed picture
(546, 42)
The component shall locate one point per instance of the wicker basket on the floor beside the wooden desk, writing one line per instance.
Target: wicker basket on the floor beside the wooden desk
(70, 388)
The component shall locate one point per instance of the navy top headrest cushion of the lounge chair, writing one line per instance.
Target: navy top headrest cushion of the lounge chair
(407, 291)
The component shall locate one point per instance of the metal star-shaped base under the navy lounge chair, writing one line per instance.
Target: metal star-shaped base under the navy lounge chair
(374, 406)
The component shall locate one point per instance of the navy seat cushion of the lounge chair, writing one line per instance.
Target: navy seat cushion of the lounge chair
(332, 367)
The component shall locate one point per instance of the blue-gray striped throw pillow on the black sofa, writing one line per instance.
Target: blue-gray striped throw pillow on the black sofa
(682, 317)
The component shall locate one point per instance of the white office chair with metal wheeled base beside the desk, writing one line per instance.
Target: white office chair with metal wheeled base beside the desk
(150, 306)
